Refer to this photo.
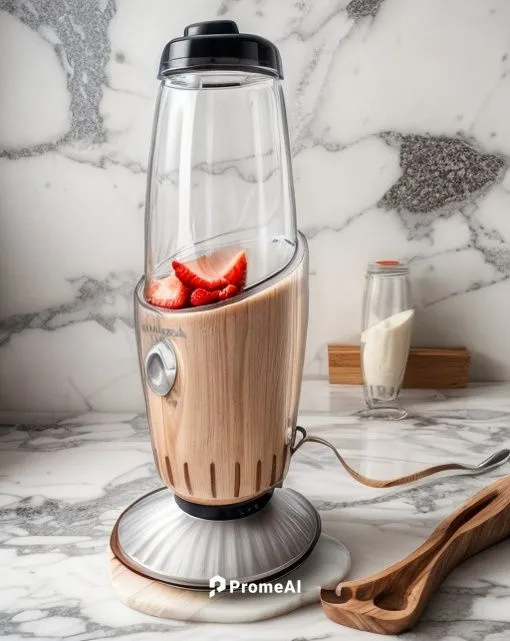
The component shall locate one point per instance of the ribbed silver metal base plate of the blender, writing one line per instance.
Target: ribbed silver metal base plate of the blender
(157, 539)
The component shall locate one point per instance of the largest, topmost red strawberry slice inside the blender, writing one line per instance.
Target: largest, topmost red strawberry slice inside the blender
(215, 271)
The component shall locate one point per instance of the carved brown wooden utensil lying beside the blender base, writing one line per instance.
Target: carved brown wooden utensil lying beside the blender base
(392, 600)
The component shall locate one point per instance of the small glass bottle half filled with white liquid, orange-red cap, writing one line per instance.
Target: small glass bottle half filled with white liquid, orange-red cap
(387, 321)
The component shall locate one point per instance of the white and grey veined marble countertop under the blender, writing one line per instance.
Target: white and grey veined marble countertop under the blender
(63, 483)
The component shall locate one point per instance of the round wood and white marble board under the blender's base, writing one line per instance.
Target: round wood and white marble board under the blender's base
(327, 565)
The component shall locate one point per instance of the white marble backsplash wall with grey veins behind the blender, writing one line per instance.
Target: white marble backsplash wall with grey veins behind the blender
(401, 144)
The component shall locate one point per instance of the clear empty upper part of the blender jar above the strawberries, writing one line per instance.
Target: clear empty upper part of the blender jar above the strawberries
(220, 175)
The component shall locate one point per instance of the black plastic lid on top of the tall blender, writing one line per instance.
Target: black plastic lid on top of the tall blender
(219, 45)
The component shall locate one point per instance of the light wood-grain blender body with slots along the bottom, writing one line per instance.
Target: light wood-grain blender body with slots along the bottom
(223, 433)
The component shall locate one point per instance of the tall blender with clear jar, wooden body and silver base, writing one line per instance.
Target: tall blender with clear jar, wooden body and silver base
(221, 317)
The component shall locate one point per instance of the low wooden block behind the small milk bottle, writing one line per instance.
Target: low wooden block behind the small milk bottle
(427, 367)
